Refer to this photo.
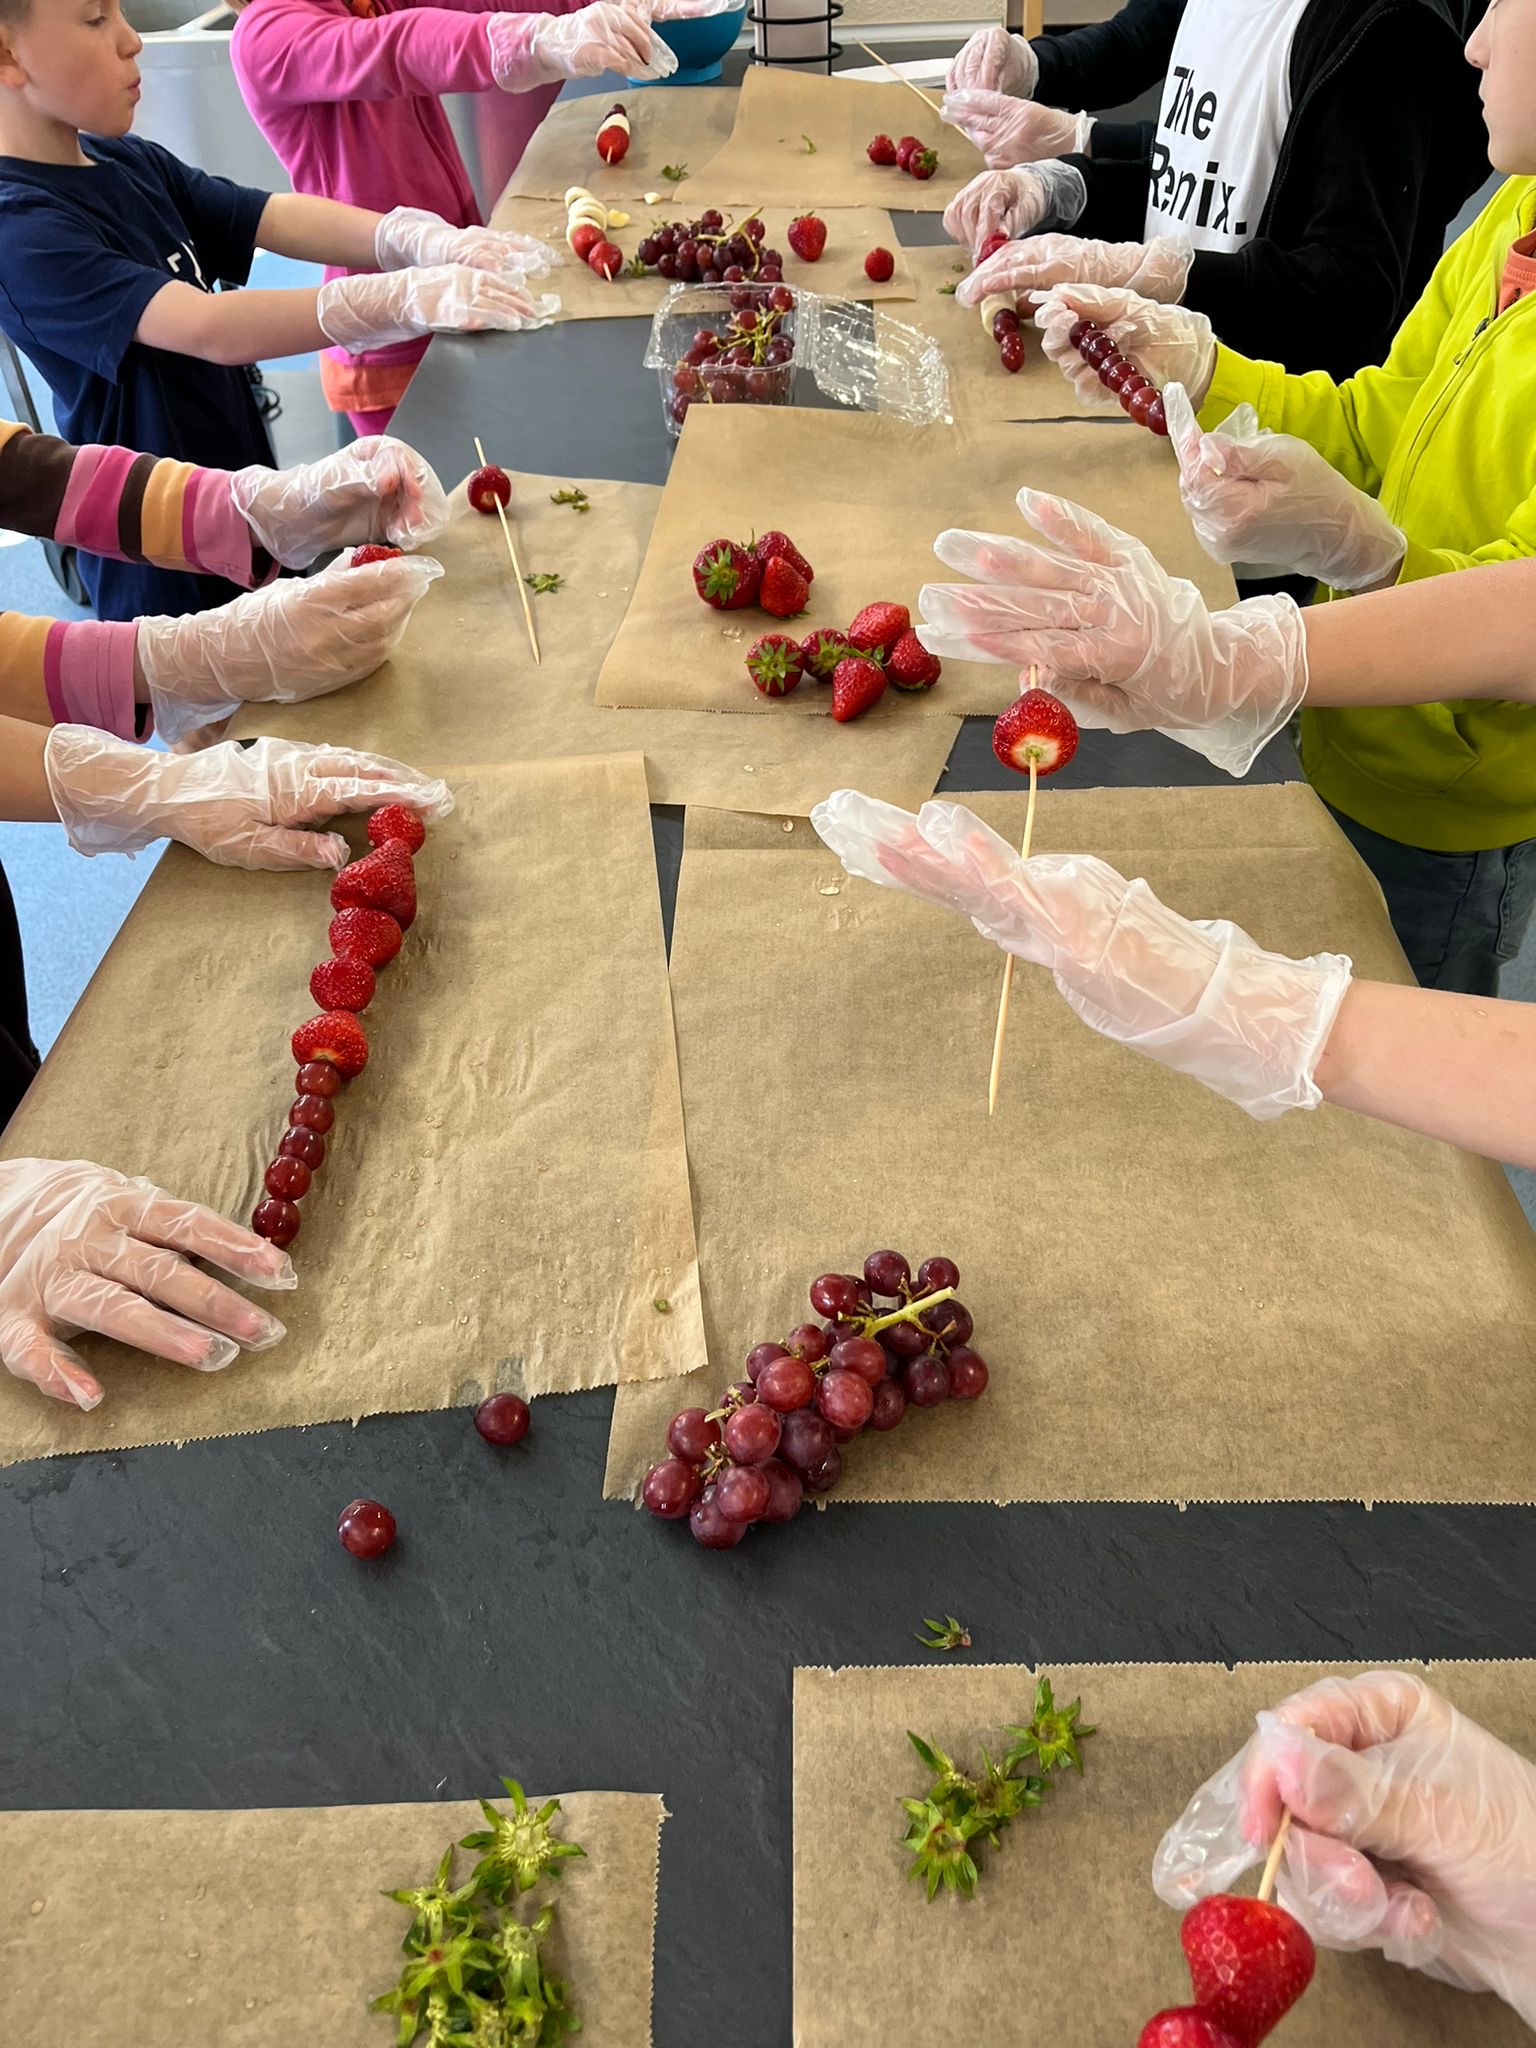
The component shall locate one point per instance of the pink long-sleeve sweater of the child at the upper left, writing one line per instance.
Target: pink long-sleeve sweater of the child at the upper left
(349, 99)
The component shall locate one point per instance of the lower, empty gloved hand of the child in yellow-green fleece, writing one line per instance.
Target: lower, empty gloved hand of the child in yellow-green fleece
(1275, 501)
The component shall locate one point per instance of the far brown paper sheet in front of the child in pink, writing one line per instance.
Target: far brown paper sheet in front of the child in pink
(683, 128)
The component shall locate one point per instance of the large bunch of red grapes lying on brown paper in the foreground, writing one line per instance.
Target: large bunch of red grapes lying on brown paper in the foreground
(779, 1433)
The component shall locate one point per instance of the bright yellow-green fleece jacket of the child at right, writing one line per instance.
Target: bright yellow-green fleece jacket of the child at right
(1445, 437)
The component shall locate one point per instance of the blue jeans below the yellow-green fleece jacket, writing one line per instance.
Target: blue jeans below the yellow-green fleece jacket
(1457, 916)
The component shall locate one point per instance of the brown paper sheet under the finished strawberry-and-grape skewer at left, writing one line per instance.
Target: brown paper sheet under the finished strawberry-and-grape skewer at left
(505, 1193)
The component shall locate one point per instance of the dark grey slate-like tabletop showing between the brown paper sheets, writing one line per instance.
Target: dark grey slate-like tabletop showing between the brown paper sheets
(183, 1629)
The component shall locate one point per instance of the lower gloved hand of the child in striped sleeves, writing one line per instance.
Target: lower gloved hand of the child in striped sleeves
(284, 644)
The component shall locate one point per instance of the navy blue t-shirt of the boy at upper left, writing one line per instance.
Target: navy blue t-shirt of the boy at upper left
(81, 257)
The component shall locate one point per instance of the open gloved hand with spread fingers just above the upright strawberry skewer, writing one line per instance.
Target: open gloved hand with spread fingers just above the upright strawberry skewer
(1121, 642)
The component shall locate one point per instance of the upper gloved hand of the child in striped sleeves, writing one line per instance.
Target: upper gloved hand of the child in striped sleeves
(376, 490)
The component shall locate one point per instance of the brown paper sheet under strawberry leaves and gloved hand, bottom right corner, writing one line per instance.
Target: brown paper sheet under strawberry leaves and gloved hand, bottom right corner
(1066, 1938)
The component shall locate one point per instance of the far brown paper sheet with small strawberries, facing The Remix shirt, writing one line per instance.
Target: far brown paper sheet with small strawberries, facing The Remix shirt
(767, 163)
